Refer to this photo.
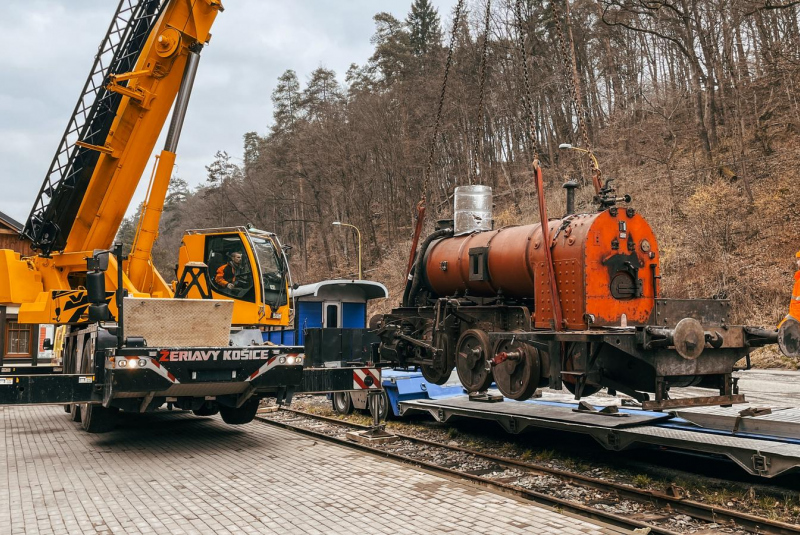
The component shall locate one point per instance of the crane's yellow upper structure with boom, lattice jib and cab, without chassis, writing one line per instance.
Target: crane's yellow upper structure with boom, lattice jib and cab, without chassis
(147, 62)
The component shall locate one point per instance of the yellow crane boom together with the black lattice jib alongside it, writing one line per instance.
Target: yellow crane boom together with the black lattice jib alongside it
(109, 140)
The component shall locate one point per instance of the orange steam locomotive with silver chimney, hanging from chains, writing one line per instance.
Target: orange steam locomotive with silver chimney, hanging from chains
(481, 301)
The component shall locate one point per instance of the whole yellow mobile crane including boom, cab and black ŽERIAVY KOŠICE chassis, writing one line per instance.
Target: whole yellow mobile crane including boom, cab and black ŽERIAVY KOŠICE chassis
(134, 341)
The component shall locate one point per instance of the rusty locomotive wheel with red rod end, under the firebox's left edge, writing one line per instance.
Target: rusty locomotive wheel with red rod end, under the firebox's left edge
(518, 376)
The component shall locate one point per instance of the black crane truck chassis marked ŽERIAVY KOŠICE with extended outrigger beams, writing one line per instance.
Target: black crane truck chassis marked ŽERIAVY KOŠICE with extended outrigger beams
(107, 369)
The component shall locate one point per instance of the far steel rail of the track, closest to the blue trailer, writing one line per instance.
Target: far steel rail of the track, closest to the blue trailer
(697, 510)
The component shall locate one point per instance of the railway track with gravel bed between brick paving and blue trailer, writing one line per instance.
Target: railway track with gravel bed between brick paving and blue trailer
(536, 482)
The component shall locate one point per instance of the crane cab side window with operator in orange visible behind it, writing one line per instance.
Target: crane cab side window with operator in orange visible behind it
(229, 267)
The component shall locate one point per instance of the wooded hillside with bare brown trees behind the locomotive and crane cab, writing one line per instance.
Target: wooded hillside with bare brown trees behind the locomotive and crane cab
(691, 106)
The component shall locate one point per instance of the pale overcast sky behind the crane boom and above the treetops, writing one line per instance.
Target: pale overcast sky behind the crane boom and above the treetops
(48, 47)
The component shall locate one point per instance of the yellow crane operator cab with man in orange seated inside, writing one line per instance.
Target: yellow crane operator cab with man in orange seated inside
(246, 265)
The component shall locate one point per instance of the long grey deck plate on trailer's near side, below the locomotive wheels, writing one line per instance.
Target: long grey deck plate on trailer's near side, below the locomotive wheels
(529, 413)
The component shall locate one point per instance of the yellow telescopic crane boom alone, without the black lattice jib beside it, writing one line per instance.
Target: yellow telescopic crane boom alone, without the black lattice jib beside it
(147, 99)
